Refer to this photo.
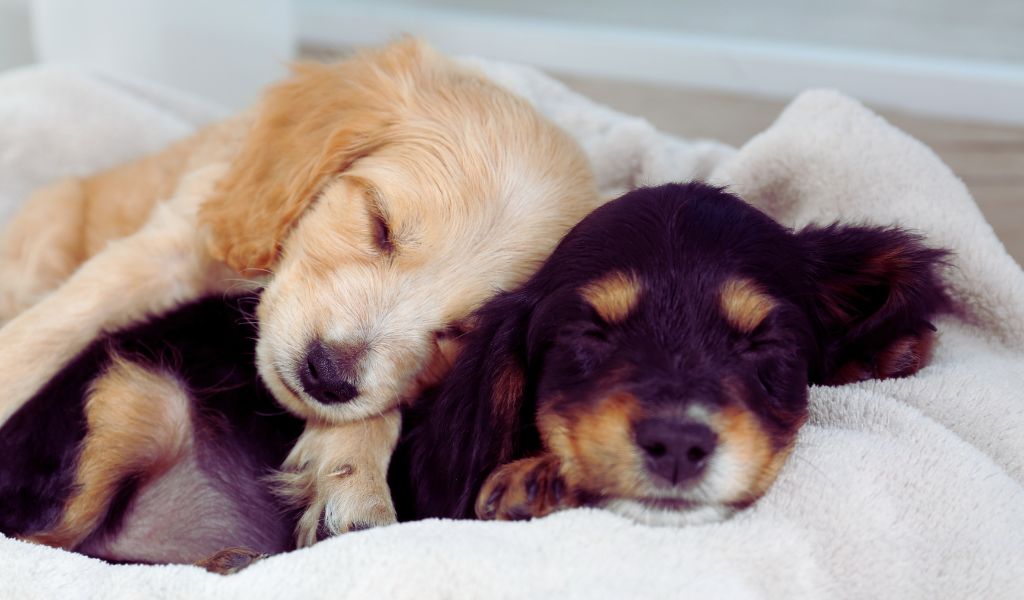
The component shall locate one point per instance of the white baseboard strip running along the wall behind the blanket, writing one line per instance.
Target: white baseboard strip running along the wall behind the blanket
(933, 85)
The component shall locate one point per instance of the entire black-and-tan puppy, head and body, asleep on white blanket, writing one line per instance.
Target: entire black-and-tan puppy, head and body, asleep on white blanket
(658, 366)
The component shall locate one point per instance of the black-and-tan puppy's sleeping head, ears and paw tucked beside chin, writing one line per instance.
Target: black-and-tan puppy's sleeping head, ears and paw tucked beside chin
(658, 364)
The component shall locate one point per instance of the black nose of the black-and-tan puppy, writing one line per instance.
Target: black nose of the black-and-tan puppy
(676, 451)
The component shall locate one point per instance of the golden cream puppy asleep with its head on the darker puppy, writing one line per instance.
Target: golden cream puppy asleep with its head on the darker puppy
(378, 202)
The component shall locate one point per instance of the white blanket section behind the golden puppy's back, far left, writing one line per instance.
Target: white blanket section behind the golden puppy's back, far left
(58, 122)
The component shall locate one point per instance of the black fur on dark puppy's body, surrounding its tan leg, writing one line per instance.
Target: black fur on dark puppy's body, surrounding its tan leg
(210, 347)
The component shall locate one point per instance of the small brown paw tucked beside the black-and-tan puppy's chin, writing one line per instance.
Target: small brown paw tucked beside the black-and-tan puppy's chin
(524, 490)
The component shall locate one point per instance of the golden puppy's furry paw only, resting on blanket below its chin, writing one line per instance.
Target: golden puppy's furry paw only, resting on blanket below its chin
(337, 501)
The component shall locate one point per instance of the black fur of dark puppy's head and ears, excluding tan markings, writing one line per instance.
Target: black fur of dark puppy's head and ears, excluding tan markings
(684, 242)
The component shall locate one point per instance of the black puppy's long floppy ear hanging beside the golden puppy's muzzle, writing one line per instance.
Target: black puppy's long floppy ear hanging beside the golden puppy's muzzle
(475, 420)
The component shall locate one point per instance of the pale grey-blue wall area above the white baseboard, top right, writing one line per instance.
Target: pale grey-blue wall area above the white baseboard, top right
(991, 31)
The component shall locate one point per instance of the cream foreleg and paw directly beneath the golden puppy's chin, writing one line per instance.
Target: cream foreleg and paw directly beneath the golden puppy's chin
(338, 476)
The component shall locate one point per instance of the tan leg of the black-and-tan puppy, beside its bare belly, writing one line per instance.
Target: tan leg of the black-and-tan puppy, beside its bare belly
(139, 425)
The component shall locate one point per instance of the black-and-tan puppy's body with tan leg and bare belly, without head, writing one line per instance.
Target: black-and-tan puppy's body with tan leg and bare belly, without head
(154, 445)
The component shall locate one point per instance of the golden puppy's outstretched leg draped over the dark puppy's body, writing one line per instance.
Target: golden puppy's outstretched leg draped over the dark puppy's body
(161, 267)
